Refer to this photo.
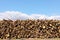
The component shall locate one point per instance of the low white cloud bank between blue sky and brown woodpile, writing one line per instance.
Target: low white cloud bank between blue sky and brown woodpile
(14, 15)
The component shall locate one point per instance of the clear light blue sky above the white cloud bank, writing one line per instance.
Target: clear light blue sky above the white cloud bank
(47, 7)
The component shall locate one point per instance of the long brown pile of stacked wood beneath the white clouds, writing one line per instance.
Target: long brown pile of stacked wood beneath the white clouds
(29, 29)
